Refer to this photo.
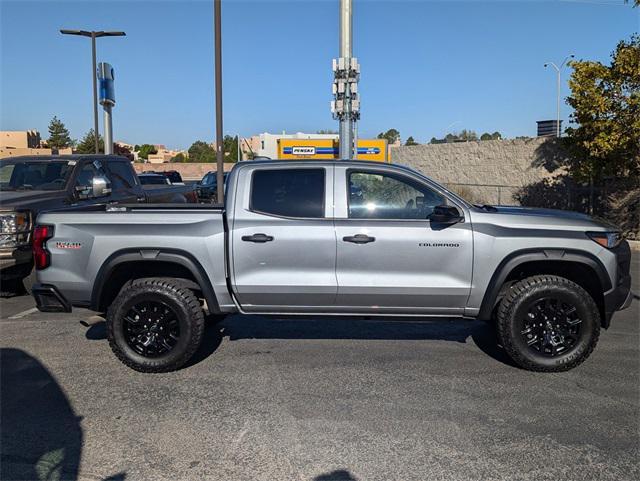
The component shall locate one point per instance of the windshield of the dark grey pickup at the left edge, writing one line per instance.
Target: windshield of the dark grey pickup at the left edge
(35, 174)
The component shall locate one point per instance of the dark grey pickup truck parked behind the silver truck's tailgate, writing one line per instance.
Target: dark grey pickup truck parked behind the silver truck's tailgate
(29, 185)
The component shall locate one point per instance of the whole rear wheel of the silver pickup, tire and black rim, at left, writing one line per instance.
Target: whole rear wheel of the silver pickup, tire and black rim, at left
(155, 325)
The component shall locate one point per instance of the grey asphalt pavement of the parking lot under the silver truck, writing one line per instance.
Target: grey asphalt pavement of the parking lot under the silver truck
(324, 400)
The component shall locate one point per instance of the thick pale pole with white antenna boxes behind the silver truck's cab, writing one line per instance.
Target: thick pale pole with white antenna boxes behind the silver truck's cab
(346, 105)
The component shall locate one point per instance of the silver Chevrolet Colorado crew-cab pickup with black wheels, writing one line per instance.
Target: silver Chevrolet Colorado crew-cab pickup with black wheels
(334, 238)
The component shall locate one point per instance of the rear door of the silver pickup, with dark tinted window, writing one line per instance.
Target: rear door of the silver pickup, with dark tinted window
(283, 244)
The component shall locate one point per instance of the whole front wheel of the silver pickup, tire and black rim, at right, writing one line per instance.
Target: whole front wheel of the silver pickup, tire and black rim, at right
(548, 323)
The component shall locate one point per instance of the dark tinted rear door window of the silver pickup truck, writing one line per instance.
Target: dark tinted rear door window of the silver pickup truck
(288, 192)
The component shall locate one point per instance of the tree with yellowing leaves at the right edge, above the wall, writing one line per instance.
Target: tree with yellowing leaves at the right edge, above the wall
(606, 111)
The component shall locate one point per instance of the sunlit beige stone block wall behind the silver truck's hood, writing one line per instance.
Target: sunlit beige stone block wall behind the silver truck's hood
(487, 171)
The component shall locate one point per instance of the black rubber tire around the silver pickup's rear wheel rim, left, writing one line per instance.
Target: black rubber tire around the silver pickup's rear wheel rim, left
(184, 304)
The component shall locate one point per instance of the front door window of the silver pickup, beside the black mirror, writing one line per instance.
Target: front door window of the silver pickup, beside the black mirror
(377, 195)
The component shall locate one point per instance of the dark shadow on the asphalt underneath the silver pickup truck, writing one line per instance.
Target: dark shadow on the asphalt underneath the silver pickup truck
(237, 327)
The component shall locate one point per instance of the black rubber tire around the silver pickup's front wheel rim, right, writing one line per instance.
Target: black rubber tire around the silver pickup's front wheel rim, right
(516, 303)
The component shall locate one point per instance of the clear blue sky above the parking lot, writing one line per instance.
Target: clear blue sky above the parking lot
(427, 67)
